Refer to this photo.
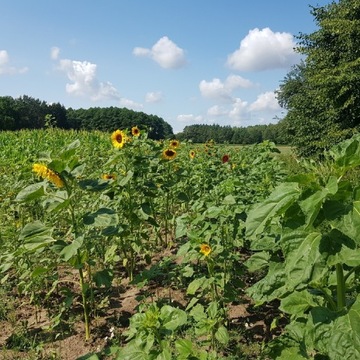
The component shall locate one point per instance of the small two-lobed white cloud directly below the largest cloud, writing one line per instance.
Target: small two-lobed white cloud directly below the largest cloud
(216, 89)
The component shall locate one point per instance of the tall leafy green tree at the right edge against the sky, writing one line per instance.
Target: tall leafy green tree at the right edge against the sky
(321, 94)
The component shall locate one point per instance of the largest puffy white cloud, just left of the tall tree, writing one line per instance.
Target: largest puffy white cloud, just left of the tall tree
(263, 50)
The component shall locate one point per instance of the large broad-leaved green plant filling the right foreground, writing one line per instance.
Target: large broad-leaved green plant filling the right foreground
(306, 238)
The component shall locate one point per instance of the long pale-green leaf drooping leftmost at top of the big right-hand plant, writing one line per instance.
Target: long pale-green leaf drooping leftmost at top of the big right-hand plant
(280, 199)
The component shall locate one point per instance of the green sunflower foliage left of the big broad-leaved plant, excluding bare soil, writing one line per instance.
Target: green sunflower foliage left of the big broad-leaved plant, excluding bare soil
(73, 241)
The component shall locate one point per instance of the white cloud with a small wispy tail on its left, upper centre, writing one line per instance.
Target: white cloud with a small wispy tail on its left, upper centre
(165, 52)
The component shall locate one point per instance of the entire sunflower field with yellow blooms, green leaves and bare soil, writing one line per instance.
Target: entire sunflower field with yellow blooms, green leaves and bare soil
(115, 246)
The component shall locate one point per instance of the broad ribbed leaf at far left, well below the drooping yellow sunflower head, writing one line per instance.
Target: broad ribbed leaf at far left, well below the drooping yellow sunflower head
(36, 235)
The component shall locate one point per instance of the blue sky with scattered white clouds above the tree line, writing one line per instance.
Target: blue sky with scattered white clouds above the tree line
(187, 61)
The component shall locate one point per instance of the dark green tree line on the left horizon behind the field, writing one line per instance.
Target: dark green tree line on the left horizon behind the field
(26, 112)
